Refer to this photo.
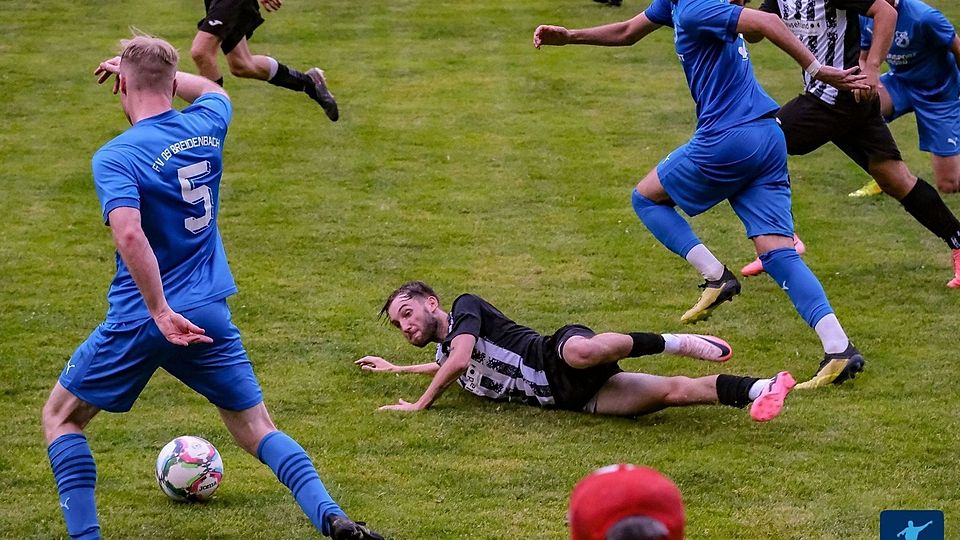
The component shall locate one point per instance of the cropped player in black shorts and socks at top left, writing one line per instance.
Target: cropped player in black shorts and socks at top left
(228, 25)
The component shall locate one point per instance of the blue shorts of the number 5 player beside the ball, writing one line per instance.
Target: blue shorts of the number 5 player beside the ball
(111, 368)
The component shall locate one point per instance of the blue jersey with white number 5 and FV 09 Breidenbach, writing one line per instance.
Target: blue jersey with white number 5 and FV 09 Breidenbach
(169, 167)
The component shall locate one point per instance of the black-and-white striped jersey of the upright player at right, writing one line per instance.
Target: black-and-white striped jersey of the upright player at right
(829, 28)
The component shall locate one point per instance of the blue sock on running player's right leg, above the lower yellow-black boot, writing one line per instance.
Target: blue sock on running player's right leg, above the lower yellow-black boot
(803, 288)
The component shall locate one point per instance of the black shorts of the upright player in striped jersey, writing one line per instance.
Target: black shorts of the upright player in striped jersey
(858, 129)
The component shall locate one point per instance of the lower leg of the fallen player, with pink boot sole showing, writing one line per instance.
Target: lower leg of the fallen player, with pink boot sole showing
(632, 394)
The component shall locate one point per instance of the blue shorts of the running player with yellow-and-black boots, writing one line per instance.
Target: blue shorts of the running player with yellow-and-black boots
(746, 165)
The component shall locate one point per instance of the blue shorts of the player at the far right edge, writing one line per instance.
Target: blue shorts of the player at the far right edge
(938, 121)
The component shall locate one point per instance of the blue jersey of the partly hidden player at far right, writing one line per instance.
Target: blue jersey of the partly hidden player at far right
(920, 52)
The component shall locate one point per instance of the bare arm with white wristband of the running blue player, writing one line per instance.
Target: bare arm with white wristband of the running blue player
(772, 28)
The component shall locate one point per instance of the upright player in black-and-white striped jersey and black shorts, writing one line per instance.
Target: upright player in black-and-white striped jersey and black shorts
(852, 121)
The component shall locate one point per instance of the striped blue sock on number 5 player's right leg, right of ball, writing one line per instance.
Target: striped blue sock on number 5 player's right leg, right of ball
(293, 467)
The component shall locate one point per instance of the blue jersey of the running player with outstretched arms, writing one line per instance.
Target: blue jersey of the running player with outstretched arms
(715, 61)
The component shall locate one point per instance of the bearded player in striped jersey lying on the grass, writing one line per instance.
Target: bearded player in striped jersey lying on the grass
(491, 356)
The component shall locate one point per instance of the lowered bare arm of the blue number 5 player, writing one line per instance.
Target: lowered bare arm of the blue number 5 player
(134, 248)
